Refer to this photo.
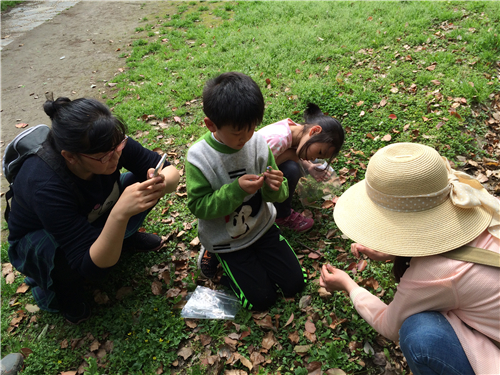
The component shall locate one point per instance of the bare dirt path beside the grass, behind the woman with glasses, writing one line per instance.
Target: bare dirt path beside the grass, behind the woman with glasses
(88, 36)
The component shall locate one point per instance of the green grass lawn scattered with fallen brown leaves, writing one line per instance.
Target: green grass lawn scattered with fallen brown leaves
(344, 56)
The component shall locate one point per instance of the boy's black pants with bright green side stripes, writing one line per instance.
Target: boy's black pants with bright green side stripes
(257, 272)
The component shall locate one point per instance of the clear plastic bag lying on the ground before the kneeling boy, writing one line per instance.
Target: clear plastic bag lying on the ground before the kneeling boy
(206, 303)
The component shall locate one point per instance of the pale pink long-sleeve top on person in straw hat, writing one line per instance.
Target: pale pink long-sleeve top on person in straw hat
(467, 294)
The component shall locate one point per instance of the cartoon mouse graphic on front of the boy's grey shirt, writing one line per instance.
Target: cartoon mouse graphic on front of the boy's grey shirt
(242, 220)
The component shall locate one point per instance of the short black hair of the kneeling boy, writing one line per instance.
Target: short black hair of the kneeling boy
(233, 99)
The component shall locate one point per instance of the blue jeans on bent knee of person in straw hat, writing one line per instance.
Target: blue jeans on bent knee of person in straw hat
(431, 346)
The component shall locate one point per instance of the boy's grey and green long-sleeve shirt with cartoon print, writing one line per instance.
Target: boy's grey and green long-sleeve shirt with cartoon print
(229, 218)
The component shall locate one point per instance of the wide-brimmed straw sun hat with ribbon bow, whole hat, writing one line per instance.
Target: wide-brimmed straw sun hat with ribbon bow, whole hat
(412, 204)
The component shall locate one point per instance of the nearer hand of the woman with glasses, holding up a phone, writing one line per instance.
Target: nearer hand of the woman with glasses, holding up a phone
(138, 197)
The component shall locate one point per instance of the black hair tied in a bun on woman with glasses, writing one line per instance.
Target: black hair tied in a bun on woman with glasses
(83, 126)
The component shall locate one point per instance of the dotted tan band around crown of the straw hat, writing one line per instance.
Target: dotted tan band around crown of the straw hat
(409, 203)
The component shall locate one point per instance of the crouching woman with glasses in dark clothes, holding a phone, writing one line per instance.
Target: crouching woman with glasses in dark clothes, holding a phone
(65, 230)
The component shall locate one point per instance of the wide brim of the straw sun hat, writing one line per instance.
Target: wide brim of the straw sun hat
(434, 231)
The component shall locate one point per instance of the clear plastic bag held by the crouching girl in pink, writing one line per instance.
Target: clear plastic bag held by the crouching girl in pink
(311, 192)
